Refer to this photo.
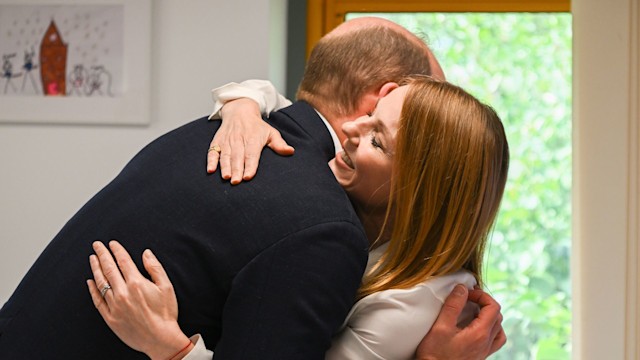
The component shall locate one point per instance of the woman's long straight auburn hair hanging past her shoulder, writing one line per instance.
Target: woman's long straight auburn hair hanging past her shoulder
(449, 174)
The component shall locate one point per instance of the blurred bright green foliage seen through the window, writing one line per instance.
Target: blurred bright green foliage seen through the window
(520, 63)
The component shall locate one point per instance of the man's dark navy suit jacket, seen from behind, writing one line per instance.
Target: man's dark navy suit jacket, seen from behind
(267, 269)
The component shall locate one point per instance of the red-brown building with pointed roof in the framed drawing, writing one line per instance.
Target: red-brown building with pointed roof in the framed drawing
(53, 62)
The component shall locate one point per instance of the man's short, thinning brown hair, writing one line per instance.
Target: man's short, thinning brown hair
(342, 68)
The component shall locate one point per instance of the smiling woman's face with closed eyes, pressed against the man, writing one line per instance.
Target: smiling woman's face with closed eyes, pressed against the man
(363, 168)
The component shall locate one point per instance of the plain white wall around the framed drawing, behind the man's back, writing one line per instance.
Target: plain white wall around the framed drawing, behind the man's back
(48, 172)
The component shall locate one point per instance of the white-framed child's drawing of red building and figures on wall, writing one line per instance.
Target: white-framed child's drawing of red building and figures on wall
(75, 61)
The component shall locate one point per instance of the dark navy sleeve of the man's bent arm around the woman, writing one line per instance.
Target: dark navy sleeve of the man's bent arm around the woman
(289, 301)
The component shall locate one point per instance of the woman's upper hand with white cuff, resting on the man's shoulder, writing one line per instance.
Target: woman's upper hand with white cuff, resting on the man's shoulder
(243, 134)
